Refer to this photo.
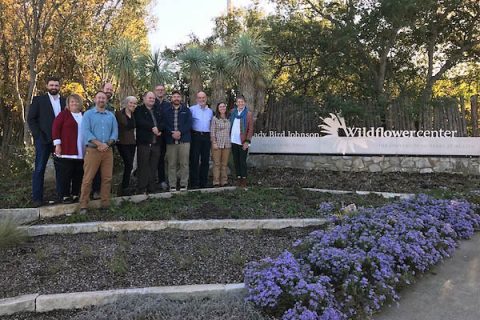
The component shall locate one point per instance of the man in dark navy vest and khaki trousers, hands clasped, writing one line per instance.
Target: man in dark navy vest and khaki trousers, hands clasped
(178, 124)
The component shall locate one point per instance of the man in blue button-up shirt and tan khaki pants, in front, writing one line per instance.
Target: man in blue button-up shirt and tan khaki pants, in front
(99, 132)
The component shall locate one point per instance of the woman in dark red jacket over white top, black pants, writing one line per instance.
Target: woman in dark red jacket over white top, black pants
(69, 148)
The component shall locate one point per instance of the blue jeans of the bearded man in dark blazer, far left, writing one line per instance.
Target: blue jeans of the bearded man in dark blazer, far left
(42, 153)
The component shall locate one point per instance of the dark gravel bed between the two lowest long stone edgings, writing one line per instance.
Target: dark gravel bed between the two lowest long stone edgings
(85, 262)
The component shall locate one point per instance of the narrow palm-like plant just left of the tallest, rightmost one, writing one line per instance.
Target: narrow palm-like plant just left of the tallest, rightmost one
(219, 62)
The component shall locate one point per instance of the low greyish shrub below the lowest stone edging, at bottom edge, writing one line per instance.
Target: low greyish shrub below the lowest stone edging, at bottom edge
(159, 308)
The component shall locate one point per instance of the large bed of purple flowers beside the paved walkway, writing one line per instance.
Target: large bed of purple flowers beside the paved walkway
(352, 269)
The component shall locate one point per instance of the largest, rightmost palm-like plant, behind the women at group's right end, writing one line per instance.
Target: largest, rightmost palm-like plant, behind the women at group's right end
(248, 59)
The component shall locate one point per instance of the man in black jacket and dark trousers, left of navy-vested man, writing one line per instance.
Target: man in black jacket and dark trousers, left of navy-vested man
(149, 130)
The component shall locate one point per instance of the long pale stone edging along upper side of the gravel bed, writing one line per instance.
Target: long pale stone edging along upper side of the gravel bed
(118, 226)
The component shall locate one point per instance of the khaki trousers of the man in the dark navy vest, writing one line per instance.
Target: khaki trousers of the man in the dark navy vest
(178, 157)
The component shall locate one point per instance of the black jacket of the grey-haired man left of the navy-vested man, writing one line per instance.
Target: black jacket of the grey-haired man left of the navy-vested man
(144, 123)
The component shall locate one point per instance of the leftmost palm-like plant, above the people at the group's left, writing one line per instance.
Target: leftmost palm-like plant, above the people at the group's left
(122, 61)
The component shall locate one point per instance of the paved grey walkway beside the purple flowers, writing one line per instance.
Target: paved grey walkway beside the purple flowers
(450, 292)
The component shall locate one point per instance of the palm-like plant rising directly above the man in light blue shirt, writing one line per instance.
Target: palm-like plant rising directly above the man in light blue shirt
(193, 61)
